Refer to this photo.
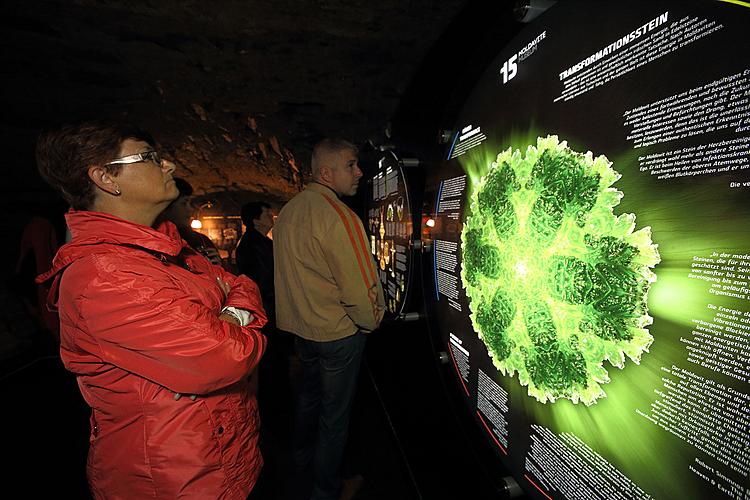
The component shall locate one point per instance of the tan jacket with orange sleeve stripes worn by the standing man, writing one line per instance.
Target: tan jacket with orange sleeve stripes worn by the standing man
(326, 282)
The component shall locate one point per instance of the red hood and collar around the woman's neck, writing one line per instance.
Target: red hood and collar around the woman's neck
(97, 232)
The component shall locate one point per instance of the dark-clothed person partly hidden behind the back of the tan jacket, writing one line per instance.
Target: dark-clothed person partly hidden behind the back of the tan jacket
(255, 251)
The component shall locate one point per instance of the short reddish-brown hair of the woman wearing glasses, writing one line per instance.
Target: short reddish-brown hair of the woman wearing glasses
(64, 156)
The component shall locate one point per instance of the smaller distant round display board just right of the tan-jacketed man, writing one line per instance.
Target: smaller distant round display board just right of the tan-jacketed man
(390, 229)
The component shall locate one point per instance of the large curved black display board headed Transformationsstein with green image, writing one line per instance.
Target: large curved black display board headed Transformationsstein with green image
(590, 272)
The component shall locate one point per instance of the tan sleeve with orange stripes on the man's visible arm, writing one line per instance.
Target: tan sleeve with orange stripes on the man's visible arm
(346, 252)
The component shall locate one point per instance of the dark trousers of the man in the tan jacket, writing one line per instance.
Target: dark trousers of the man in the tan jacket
(329, 372)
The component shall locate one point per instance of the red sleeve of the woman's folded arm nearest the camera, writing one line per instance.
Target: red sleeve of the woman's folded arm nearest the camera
(147, 324)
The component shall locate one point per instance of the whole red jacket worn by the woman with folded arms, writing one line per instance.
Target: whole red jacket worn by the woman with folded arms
(136, 327)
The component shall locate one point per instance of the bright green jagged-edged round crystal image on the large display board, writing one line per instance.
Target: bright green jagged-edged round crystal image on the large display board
(557, 284)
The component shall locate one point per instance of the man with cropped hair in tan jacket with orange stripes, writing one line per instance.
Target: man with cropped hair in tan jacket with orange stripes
(327, 294)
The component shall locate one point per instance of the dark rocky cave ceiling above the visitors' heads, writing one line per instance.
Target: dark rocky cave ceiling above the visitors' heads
(236, 92)
